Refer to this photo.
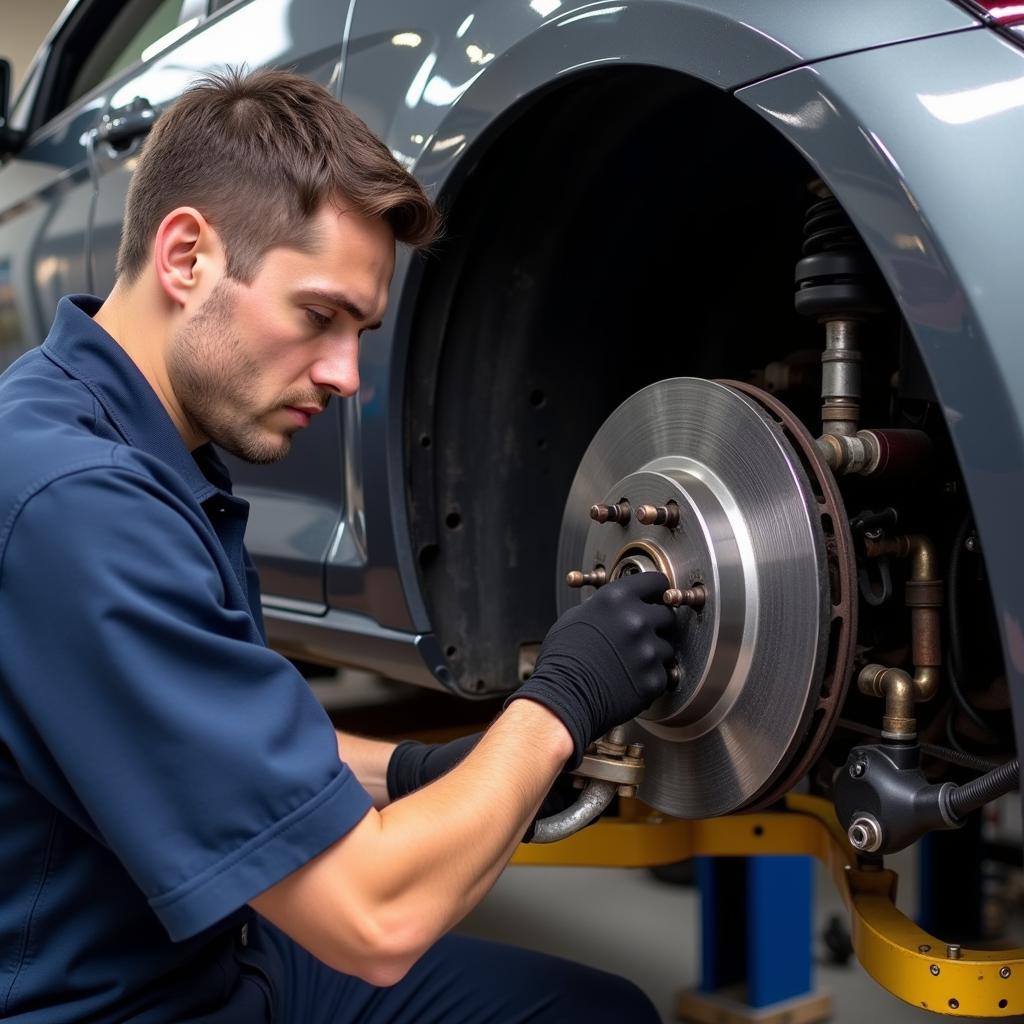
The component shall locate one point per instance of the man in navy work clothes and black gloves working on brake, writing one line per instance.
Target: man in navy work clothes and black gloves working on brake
(186, 837)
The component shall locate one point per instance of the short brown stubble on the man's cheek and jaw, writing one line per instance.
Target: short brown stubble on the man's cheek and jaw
(216, 382)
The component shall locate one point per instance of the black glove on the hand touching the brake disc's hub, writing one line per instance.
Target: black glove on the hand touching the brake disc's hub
(605, 661)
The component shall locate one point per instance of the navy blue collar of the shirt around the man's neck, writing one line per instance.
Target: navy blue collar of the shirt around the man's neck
(83, 350)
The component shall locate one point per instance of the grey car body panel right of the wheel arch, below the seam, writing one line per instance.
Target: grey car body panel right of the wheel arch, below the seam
(905, 139)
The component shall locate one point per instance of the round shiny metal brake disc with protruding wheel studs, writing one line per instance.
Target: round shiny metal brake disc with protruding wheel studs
(746, 521)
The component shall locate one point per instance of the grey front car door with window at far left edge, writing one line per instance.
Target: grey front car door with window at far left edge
(48, 187)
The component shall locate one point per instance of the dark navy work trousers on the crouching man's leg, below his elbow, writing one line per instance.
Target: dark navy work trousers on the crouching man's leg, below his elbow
(459, 982)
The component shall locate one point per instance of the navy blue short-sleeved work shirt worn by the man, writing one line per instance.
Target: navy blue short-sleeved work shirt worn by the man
(160, 765)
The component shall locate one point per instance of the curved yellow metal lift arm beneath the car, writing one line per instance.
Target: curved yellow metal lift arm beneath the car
(914, 966)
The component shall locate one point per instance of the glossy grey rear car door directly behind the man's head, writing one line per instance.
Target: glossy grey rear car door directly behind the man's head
(296, 504)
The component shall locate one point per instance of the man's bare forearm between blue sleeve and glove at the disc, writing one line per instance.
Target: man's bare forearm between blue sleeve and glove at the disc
(378, 900)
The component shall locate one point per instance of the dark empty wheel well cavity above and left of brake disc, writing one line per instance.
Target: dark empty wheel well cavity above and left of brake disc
(631, 225)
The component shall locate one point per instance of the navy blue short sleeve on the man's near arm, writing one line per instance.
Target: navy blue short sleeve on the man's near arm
(146, 709)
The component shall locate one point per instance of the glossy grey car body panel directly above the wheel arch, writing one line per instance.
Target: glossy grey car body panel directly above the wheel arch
(404, 77)
